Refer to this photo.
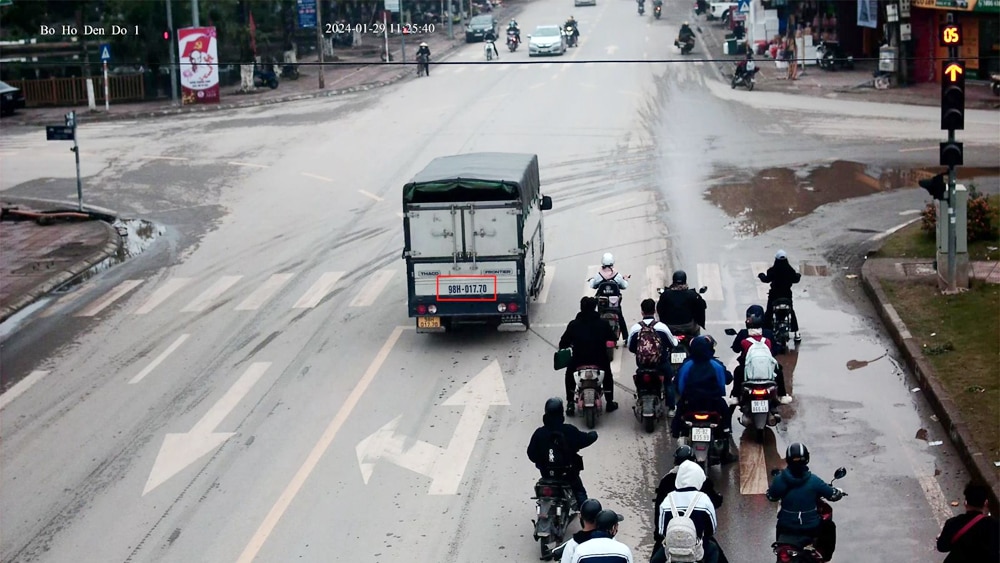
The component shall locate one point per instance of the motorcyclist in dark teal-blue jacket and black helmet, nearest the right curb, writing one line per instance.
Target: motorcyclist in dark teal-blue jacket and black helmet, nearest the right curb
(799, 492)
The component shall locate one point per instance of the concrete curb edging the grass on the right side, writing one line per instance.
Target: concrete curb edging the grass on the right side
(980, 468)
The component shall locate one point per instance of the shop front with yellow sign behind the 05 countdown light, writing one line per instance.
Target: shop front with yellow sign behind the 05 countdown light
(980, 21)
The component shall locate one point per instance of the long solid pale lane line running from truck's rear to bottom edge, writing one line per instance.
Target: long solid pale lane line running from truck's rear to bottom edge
(256, 542)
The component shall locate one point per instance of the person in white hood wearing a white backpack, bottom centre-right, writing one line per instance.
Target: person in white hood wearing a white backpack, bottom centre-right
(690, 481)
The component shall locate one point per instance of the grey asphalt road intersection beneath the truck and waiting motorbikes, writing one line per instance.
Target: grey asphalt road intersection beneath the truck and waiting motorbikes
(250, 388)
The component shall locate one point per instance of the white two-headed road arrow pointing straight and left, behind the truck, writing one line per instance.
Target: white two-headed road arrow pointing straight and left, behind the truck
(445, 466)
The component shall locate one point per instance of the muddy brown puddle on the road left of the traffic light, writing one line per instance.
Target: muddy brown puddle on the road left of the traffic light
(775, 196)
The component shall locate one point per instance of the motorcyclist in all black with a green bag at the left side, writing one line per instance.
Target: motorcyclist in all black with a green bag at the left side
(588, 335)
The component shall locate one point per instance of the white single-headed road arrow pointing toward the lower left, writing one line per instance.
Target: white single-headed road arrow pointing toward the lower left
(181, 450)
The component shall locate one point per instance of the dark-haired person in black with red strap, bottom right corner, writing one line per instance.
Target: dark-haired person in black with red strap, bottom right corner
(973, 537)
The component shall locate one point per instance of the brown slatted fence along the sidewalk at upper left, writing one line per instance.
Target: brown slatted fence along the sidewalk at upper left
(73, 91)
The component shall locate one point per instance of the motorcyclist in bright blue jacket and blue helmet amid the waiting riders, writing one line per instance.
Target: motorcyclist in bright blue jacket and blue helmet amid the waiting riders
(701, 384)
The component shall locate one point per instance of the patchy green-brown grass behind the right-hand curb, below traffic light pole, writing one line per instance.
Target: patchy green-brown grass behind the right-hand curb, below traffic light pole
(964, 351)
